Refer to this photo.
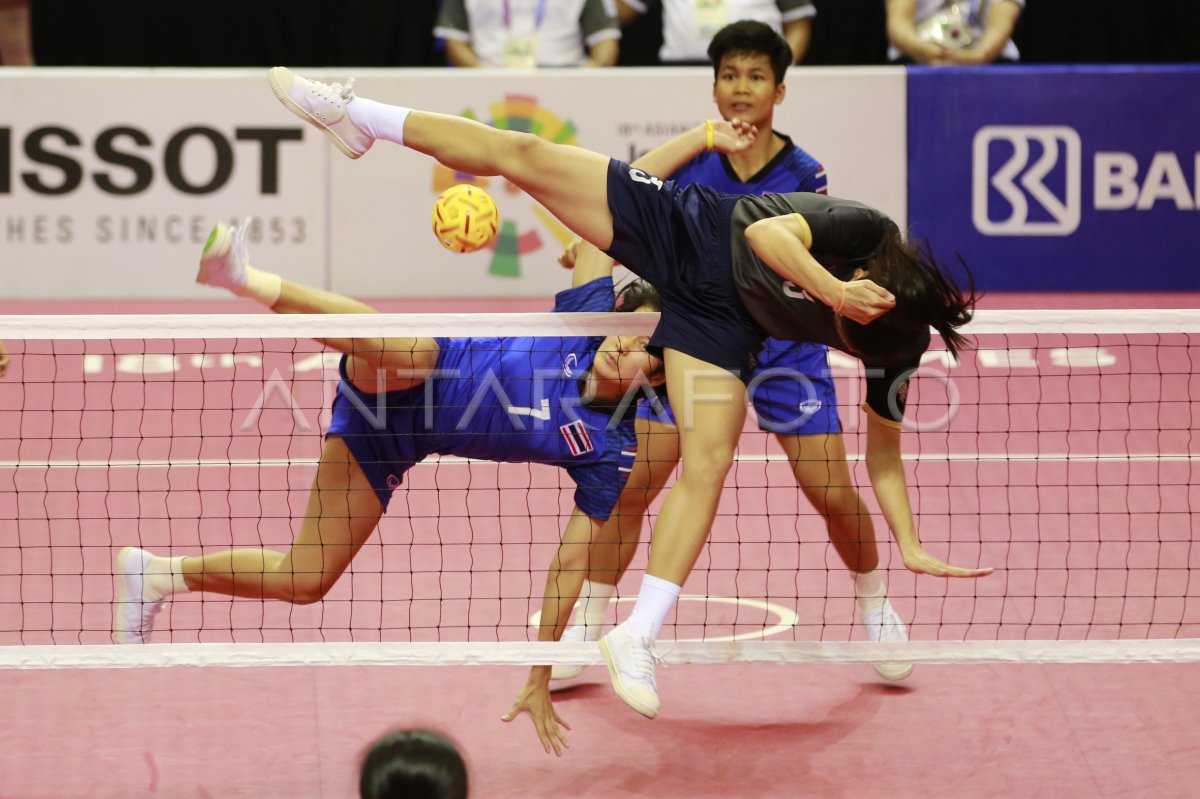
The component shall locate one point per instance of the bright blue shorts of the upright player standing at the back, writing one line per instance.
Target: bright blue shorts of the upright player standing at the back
(793, 392)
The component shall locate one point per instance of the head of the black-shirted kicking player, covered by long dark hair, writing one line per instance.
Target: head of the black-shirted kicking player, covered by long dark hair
(926, 298)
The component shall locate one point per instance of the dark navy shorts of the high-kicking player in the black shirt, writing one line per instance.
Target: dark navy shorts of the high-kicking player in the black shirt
(680, 242)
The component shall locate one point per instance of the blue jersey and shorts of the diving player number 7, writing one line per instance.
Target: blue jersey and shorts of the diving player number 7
(513, 399)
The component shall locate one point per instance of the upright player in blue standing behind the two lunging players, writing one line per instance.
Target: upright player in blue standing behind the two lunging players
(793, 391)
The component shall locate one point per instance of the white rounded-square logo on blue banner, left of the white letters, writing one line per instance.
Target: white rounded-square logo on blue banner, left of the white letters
(1018, 182)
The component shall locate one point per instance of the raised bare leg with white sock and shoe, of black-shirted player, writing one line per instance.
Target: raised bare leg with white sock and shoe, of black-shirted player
(571, 182)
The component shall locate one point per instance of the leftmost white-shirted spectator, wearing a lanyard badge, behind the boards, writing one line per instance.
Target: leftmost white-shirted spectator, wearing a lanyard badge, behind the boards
(526, 34)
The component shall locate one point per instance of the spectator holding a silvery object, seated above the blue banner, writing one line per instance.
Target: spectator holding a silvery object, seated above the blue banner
(952, 32)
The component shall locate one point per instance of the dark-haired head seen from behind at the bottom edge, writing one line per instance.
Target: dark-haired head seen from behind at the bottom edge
(415, 765)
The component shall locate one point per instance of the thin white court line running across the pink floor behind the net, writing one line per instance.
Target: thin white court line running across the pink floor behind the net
(451, 460)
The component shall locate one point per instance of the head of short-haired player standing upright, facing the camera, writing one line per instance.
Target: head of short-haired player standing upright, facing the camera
(749, 63)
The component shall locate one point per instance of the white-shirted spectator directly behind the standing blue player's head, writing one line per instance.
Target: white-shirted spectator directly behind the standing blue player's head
(689, 26)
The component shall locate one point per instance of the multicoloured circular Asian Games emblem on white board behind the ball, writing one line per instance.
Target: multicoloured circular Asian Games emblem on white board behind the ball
(521, 233)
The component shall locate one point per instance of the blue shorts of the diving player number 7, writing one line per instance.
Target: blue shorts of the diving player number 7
(387, 434)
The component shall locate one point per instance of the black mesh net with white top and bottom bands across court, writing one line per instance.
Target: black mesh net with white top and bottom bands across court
(1061, 452)
